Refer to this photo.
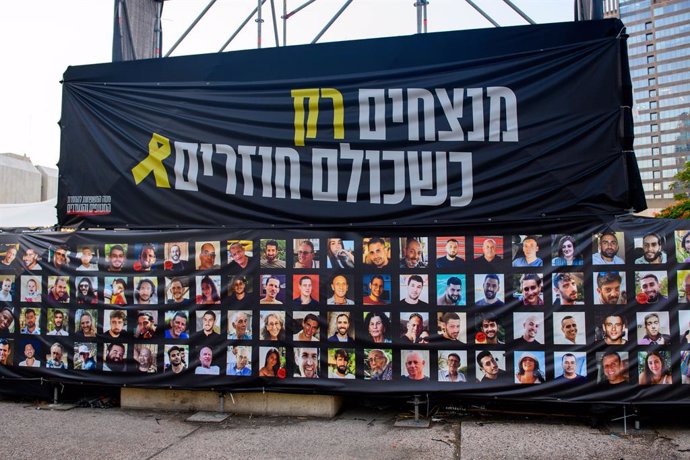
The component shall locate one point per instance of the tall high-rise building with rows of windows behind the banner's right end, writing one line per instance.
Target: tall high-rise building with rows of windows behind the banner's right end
(659, 54)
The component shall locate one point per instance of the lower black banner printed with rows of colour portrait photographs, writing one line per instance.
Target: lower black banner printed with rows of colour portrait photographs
(451, 310)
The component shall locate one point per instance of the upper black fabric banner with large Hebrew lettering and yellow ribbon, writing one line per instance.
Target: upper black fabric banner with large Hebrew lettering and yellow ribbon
(506, 124)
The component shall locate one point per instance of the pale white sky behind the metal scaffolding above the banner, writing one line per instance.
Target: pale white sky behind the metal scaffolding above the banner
(41, 38)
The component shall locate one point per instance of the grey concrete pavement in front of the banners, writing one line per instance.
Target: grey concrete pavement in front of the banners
(85, 433)
